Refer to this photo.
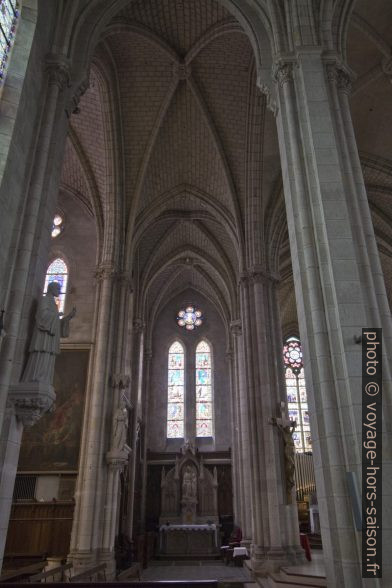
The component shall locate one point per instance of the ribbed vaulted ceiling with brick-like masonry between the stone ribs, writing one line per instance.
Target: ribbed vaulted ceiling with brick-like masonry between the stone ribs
(173, 139)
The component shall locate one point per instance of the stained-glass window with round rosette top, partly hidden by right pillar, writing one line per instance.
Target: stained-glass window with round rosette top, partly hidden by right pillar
(297, 401)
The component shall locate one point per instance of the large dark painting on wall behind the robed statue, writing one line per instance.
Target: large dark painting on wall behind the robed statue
(53, 443)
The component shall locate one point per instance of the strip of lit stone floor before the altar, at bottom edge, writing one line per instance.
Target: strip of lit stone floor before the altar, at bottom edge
(194, 571)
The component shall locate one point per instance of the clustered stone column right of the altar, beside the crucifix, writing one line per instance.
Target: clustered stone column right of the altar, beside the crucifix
(273, 527)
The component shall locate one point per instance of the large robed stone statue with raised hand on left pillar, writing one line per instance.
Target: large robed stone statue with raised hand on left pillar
(45, 342)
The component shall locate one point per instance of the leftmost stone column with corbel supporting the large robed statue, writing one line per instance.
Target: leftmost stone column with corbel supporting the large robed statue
(32, 400)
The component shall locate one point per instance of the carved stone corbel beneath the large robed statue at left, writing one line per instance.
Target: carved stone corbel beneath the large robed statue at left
(31, 400)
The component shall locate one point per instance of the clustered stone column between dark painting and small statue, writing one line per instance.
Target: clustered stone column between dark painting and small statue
(86, 539)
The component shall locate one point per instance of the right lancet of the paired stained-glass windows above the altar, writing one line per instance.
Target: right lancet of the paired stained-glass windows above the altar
(204, 423)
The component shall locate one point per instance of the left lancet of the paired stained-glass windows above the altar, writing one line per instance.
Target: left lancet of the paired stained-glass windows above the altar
(175, 391)
